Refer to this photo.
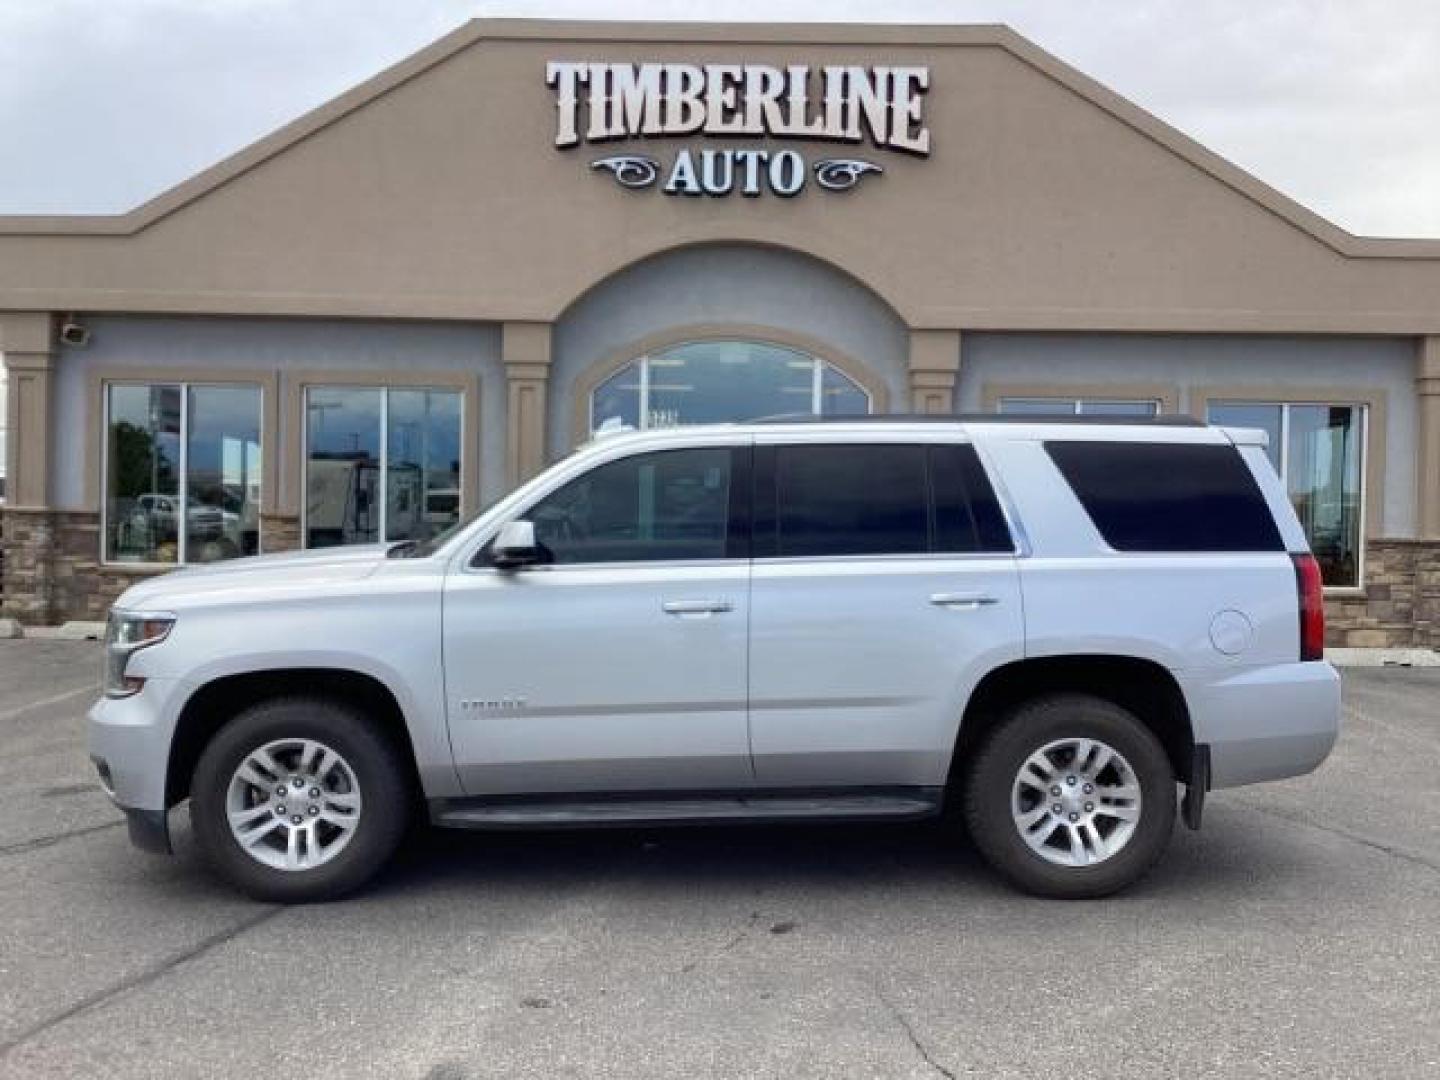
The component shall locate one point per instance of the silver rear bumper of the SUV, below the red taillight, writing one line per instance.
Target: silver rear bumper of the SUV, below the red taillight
(1265, 724)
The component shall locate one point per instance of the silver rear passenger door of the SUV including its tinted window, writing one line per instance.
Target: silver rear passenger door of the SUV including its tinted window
(885, 585)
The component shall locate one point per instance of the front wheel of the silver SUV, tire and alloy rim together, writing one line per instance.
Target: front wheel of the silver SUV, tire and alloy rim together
(348, 814)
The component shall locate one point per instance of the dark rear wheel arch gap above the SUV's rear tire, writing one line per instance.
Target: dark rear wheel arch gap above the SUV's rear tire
(1141, 686)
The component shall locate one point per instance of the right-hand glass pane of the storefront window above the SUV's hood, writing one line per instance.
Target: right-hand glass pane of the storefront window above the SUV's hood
(424, 470)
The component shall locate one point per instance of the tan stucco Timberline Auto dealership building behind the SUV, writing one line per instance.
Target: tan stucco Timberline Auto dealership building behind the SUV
(402, 305)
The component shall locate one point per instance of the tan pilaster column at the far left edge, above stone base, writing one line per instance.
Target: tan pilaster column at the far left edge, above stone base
(28, 342)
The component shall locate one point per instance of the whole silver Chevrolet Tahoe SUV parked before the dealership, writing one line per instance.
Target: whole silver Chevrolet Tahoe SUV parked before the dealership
(1049, 626)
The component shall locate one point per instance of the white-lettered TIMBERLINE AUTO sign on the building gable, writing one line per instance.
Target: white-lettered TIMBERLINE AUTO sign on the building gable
(847, 104)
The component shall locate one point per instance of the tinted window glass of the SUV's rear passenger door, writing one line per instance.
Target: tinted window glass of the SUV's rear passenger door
(875, 499)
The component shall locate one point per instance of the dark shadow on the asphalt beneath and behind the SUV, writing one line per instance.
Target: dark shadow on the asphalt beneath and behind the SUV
(1232, 860)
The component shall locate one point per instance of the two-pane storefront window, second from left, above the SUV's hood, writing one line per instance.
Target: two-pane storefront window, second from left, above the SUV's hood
(381, 464)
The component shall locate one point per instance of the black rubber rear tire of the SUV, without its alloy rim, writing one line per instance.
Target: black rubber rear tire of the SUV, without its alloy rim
(1035, 725)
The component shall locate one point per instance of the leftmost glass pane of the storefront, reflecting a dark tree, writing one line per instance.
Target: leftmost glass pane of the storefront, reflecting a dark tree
(143, 474)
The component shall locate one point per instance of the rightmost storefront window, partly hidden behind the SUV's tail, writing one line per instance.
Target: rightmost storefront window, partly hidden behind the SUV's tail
(1317, 450)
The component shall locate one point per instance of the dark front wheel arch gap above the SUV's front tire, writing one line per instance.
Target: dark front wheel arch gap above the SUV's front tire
(225, 698)
